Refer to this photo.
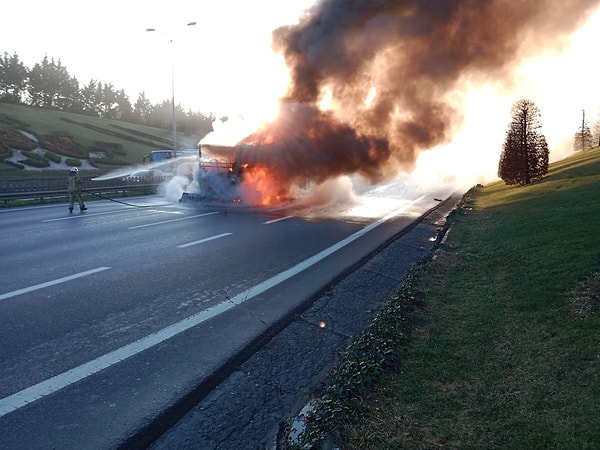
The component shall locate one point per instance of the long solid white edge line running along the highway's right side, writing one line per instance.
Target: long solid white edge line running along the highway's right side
(60, 381)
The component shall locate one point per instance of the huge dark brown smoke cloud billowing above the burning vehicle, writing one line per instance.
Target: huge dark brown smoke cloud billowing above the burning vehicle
(372, 81)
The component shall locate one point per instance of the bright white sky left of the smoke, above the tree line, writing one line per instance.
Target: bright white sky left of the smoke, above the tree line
(221, 64)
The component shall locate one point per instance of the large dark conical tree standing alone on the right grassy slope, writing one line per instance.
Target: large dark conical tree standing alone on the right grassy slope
(525, 154)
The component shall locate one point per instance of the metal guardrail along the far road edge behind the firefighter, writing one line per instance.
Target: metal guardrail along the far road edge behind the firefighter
(41, 188)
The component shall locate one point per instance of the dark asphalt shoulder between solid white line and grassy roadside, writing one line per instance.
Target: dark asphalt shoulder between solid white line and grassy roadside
(191, 361)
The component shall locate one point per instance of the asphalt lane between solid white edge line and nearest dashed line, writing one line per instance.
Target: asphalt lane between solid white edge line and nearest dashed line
(83, 319)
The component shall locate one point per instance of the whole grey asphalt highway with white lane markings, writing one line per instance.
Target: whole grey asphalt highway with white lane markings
(111, 316)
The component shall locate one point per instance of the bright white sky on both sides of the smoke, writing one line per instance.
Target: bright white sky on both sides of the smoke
(225, 65)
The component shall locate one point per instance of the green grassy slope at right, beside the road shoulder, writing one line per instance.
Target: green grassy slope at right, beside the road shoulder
(509, 356)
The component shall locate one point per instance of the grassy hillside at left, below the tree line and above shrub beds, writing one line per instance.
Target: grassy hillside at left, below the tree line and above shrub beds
(43, 122)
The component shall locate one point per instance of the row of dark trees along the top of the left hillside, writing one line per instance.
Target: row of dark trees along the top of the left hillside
(48, 84)
